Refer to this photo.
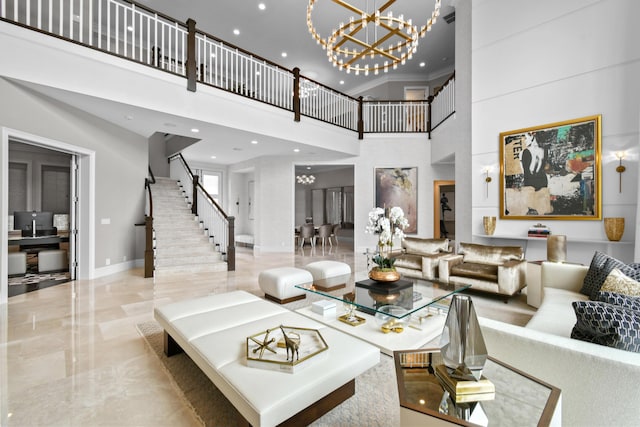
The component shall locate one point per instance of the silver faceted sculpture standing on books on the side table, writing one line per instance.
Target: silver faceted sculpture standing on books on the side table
(461, 344)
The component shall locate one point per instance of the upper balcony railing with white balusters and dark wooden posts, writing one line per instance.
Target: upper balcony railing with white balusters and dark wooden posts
(139, 34)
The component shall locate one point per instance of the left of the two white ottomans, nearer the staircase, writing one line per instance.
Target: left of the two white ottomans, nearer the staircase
(278, 284)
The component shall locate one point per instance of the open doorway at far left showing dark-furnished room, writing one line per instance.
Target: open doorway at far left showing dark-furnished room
(41, 182)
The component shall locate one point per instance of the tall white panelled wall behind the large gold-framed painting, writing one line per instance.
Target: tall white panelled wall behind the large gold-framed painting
(547, 61)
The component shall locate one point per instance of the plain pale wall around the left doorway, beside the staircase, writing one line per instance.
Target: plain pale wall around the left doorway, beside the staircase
(120, 169)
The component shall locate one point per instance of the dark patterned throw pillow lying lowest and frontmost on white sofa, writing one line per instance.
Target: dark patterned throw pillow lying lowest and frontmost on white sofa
(606, 324)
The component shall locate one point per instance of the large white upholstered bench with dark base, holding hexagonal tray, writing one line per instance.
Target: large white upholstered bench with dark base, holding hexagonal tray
(213, 331)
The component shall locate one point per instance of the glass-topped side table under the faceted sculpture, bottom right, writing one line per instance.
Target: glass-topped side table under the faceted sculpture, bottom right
(519, 399)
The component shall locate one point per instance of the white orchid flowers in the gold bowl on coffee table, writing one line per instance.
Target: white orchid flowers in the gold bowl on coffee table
(387, 227)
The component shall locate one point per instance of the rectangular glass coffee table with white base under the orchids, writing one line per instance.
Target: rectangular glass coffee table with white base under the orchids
(400, 315)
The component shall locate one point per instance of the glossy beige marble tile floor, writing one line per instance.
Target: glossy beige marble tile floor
(71, 355)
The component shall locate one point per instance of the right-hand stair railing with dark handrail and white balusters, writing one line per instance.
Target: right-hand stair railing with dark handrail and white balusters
(218, 226)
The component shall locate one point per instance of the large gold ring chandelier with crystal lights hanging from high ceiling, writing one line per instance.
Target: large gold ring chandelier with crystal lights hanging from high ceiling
(371, 41)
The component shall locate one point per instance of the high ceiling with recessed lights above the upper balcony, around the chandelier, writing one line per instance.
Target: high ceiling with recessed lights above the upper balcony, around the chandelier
(281, 27)
